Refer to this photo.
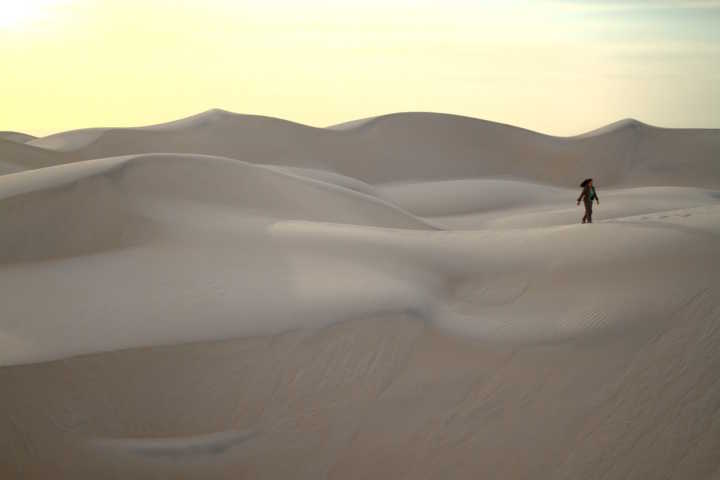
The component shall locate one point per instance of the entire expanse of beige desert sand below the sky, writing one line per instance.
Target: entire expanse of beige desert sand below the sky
(409, 296)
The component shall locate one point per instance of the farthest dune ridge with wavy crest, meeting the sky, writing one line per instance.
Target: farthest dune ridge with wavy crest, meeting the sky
(421, 146)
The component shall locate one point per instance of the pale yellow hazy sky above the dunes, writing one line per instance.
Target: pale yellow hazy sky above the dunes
(560, 67)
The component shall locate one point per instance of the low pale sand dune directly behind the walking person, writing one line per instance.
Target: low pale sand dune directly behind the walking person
(498, 203)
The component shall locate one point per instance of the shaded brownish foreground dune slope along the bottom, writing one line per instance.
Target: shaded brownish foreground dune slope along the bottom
(385, 397)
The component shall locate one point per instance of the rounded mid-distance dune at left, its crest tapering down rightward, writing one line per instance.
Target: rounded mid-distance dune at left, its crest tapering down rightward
(87, 211)
